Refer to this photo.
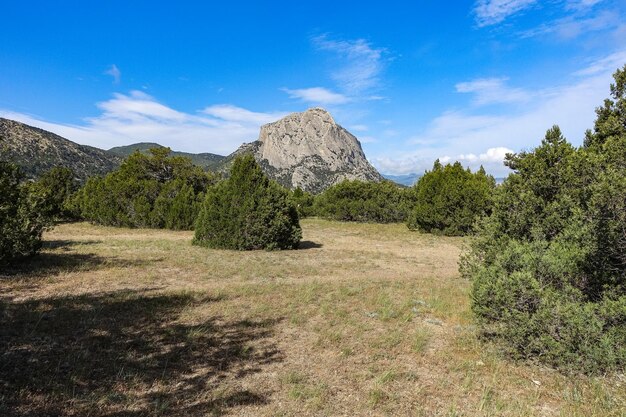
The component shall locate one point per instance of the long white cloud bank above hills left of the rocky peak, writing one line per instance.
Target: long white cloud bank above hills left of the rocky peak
(138, 117)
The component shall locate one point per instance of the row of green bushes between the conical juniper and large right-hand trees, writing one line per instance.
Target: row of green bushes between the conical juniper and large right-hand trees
(446, 200)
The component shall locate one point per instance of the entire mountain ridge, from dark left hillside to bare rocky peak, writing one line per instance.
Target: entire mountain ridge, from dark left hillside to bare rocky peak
(307, 150)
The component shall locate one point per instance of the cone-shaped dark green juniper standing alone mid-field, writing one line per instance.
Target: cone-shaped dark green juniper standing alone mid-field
(248, 211)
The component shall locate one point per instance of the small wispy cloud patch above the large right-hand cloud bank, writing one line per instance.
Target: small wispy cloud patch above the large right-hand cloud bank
(492, 90)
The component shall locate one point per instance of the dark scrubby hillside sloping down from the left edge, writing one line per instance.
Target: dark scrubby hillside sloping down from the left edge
(36, 151)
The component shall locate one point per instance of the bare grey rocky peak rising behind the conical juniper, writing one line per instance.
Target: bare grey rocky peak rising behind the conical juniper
(308, 150)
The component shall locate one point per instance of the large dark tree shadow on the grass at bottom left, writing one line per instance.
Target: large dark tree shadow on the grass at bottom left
(126, 353)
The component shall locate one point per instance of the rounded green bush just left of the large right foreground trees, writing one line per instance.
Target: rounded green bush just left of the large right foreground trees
(449, 199)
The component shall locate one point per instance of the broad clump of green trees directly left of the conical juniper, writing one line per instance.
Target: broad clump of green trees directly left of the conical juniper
(153, 190)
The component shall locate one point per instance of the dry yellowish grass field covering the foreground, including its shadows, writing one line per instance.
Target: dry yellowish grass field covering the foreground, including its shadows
(363, 320)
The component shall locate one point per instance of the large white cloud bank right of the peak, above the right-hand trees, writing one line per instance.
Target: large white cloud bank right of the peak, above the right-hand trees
(476, 136)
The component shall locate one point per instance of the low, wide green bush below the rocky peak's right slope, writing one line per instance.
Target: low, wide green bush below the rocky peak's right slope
(359, 201)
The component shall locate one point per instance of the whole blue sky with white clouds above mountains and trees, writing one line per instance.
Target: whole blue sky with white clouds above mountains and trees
(413, 81)
